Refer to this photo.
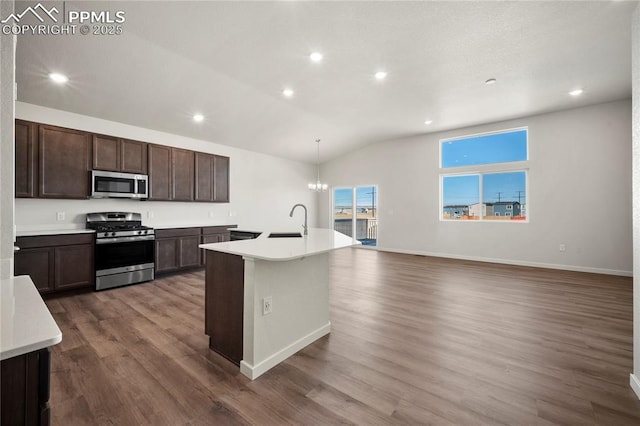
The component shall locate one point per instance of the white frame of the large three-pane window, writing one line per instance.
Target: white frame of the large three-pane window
(481, 170)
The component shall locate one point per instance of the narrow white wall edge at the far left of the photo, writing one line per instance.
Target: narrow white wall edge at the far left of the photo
(7, 79)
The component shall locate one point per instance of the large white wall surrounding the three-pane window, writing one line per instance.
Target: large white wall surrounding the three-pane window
(579, 194)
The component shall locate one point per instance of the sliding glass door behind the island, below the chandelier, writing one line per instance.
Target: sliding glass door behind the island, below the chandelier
(355, 213)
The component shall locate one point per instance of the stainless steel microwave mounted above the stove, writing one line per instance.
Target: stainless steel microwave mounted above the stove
(118, 185)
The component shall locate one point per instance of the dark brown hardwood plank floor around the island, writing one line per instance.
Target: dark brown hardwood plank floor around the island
(414, 340)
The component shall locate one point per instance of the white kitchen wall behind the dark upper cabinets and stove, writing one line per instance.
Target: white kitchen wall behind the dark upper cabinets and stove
(263, 188)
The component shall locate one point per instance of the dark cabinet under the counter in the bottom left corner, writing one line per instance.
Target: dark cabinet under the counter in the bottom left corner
(24, 391)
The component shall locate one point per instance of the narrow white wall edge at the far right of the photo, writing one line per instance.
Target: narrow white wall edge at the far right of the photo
(635, 37)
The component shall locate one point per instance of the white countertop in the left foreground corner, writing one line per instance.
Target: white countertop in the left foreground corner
(27, 324)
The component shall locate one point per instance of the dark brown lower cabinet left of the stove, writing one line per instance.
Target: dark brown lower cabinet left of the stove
(56, 262)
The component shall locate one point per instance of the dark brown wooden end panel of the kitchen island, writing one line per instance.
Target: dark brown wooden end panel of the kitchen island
(224, 299)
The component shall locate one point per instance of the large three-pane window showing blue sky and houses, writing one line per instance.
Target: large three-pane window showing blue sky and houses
(484, 177)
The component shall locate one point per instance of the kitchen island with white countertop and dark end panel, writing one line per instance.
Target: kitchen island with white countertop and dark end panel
(267, 298)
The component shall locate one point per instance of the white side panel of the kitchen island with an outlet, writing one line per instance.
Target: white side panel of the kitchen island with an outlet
(300, 310)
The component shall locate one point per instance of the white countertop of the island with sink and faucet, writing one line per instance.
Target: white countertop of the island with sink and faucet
(319, 240)
